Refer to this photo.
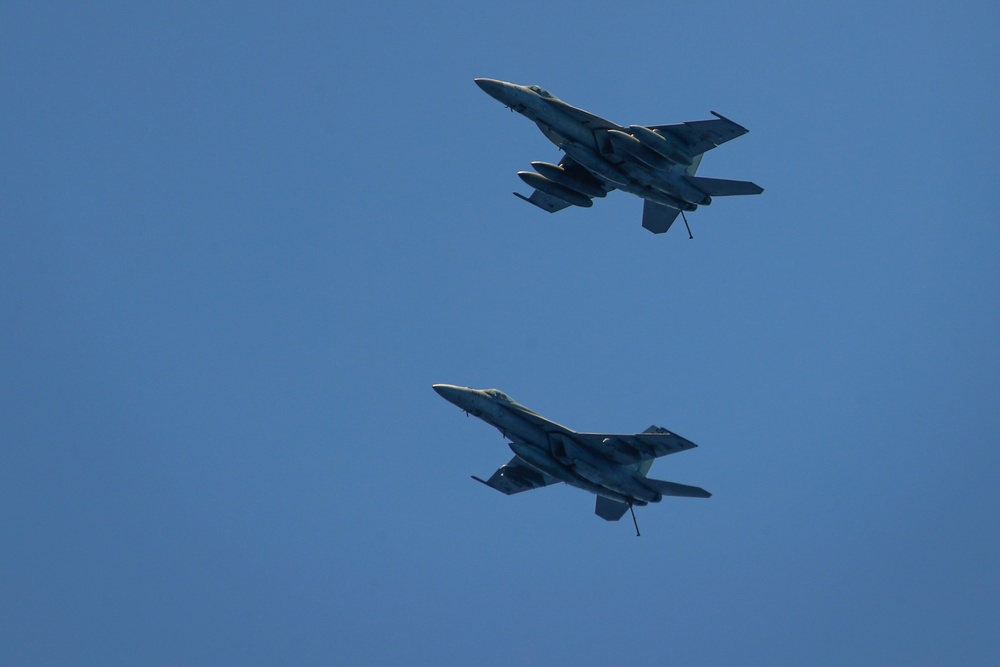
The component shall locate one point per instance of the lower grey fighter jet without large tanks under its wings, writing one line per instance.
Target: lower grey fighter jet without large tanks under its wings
(610, 465)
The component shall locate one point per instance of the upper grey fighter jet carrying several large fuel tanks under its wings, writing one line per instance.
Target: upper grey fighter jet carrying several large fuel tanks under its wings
(655, 162)
